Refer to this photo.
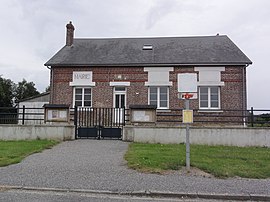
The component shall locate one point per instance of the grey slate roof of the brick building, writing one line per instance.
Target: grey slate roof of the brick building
(203, 50)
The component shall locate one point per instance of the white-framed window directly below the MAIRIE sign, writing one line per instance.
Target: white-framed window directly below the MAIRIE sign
(82, 97)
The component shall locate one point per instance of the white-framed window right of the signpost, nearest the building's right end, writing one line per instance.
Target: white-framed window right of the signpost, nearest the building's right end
(209, 97)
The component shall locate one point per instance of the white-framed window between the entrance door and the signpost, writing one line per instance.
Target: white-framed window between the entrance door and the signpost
(159, 96)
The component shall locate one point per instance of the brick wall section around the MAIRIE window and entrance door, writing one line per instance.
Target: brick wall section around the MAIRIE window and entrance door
(137, 93)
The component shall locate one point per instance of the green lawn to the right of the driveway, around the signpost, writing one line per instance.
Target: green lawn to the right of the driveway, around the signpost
(220, 161)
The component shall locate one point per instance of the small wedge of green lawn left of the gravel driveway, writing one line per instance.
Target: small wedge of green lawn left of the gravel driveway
(14, 151)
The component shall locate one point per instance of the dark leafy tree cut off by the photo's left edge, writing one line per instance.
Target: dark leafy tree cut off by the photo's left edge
(6, 92)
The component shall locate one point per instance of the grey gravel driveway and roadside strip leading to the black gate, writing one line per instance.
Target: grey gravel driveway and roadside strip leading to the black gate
(99, 165)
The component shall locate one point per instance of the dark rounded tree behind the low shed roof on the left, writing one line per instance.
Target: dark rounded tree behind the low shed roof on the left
(24, 90)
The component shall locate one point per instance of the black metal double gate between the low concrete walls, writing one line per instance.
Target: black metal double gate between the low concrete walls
(99, 122)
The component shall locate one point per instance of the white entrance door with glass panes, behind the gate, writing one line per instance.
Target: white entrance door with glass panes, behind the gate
(119, 103)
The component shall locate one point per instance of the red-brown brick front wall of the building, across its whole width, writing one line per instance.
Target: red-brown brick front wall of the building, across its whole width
(233, 94)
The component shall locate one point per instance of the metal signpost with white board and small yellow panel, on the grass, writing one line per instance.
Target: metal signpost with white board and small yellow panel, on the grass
(187, 87)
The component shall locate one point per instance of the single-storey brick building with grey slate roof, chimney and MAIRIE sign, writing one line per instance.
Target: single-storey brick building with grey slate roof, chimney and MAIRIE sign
(119, 72)
